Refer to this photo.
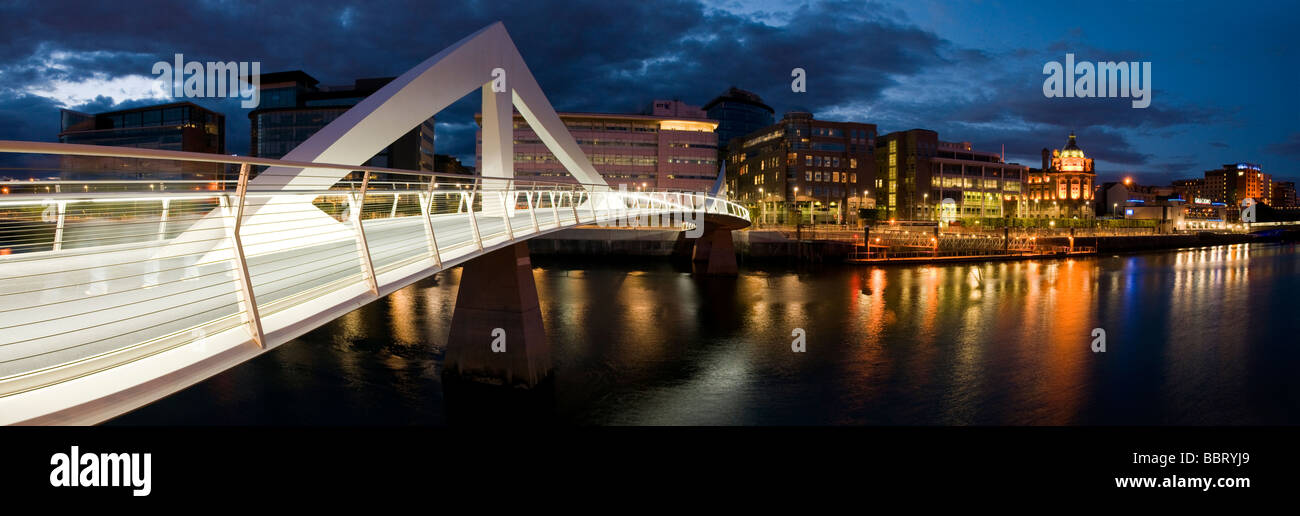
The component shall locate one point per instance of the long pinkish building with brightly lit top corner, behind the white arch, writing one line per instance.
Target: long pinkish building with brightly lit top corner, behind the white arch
(673, 148)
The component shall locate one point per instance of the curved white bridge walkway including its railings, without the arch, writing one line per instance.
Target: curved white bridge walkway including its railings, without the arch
(118, 293)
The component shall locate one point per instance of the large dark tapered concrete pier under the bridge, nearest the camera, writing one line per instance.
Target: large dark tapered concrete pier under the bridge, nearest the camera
(497, 303)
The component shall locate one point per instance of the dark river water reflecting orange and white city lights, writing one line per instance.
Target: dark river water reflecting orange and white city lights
(1202, 337)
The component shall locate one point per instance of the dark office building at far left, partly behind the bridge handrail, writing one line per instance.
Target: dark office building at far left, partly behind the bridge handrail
(176, 127)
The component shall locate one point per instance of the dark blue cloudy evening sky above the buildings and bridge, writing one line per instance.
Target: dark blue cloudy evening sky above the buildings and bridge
(1225, 77)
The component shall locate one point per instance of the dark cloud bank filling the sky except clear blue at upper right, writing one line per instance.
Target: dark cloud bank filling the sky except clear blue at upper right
(864, 60)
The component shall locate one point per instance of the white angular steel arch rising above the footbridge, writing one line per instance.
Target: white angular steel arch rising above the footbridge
(479, 62)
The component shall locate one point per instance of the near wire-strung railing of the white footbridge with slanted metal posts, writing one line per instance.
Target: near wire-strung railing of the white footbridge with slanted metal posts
(110, 255)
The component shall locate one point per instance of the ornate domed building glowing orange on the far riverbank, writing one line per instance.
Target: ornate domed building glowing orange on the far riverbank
(1064, 187)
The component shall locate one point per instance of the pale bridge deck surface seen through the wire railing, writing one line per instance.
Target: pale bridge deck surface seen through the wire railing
(90, 302)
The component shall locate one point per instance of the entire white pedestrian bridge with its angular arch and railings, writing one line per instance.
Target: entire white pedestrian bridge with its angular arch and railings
(138, 272)
